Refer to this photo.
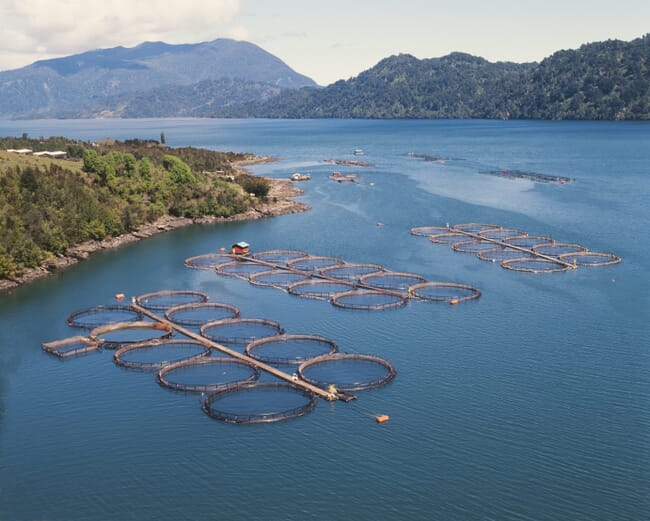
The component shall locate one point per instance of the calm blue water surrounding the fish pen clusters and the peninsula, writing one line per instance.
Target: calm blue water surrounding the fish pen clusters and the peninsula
(530, 403)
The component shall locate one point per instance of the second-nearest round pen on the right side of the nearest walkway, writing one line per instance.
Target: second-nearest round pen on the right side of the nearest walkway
(290, 349)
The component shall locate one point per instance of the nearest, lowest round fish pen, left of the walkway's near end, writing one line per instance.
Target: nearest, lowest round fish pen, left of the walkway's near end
(259, 403)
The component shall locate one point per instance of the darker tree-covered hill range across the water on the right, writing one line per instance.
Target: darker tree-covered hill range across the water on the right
(605, 80)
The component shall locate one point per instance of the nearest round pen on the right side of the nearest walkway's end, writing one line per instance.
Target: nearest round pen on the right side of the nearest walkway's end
(347, 372)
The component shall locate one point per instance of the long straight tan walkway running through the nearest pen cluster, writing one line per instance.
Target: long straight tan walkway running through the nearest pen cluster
(327, 395)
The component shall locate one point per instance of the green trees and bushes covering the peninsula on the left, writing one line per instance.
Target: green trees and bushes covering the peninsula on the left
(107, 189)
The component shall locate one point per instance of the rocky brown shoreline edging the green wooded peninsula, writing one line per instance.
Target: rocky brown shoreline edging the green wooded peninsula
(280, 201)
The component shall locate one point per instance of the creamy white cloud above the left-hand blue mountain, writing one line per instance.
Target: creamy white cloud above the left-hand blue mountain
(34, 29)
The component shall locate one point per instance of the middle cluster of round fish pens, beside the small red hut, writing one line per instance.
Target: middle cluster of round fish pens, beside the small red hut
(343, 284)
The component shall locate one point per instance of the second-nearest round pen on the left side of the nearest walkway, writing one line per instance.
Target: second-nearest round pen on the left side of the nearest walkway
(207, 374)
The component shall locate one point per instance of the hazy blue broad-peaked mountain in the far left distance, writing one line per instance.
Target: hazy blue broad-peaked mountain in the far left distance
(71, 84)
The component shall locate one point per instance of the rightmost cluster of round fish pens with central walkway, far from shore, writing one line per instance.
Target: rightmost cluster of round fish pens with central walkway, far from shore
(515, 249)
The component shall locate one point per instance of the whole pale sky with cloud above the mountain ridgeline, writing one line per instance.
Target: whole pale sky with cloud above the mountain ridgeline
(327, 40)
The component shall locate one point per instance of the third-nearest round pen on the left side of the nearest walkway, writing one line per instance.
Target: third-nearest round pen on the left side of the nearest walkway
(154, 355)
